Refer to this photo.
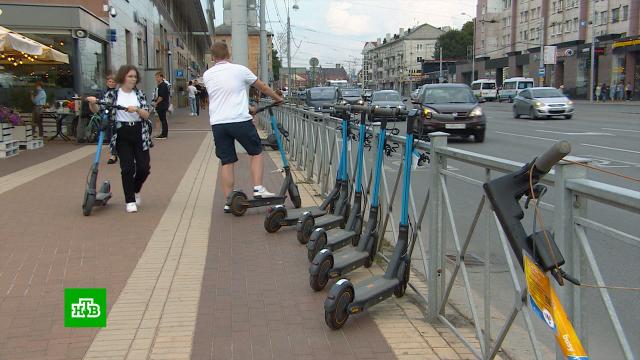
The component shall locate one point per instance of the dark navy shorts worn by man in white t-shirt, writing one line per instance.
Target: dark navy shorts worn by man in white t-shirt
(224, 136)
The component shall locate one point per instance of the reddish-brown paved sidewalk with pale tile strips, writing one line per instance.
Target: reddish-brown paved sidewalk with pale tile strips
(183, 279)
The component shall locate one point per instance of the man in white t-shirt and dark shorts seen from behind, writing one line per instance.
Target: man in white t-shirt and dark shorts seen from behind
(230, 120)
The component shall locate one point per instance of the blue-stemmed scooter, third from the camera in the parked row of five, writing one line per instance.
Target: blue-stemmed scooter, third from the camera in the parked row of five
(329, 236)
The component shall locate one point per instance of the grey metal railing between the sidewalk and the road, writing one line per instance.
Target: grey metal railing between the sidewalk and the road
(453, 290)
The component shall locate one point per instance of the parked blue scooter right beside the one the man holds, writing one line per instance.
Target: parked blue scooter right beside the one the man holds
(279, 216)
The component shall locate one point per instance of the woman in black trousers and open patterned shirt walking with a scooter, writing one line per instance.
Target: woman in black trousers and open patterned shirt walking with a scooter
(131, 136)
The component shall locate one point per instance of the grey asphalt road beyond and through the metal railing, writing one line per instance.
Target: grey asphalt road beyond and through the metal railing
(607, 134)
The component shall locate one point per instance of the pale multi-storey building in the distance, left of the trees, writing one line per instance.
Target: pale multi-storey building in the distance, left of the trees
(396, 61)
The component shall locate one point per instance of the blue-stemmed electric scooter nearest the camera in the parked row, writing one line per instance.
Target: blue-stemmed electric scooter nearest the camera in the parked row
(344, 298)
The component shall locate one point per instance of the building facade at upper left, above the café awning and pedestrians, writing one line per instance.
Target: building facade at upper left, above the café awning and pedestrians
(99, 37)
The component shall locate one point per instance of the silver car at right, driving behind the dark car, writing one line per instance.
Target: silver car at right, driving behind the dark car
(539, 102)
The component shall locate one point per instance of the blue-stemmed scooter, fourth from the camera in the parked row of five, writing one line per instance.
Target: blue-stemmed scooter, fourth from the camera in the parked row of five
(307, 222)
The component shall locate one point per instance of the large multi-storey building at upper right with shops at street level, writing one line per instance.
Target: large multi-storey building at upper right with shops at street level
(510, 46)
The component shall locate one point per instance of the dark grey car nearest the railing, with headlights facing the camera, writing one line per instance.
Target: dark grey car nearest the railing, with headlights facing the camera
(458, 101)
